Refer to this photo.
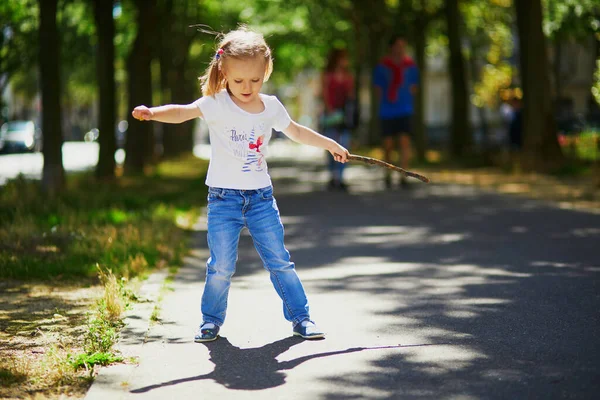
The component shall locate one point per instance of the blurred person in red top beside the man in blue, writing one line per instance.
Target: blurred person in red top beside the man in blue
(338, 97)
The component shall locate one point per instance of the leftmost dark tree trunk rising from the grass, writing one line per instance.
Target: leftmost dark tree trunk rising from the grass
(53, 174)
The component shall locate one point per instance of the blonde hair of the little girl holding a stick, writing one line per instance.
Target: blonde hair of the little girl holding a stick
(241, 43)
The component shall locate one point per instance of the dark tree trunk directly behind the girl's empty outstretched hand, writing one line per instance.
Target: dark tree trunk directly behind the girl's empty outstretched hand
(139, 146)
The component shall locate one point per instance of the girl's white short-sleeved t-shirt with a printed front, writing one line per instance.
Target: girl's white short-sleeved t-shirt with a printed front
(239, 140)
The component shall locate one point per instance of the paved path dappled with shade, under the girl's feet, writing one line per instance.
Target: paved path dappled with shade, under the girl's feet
(441, 292)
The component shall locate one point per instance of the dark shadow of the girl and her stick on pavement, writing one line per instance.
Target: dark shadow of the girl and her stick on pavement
(250, 369)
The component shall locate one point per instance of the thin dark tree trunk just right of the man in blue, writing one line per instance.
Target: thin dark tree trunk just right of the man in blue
(420, 30)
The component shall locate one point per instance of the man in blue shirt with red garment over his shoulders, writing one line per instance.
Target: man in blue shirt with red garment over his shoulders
(396, 80)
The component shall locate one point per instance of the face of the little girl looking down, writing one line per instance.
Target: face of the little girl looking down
(245, 77)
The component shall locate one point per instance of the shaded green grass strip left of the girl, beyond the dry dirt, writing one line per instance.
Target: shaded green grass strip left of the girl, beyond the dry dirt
(129, 226)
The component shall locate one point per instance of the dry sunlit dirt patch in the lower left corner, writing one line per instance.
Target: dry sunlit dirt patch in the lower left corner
(40, 324)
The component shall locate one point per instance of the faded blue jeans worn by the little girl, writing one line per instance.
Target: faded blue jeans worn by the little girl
(229, 211)
